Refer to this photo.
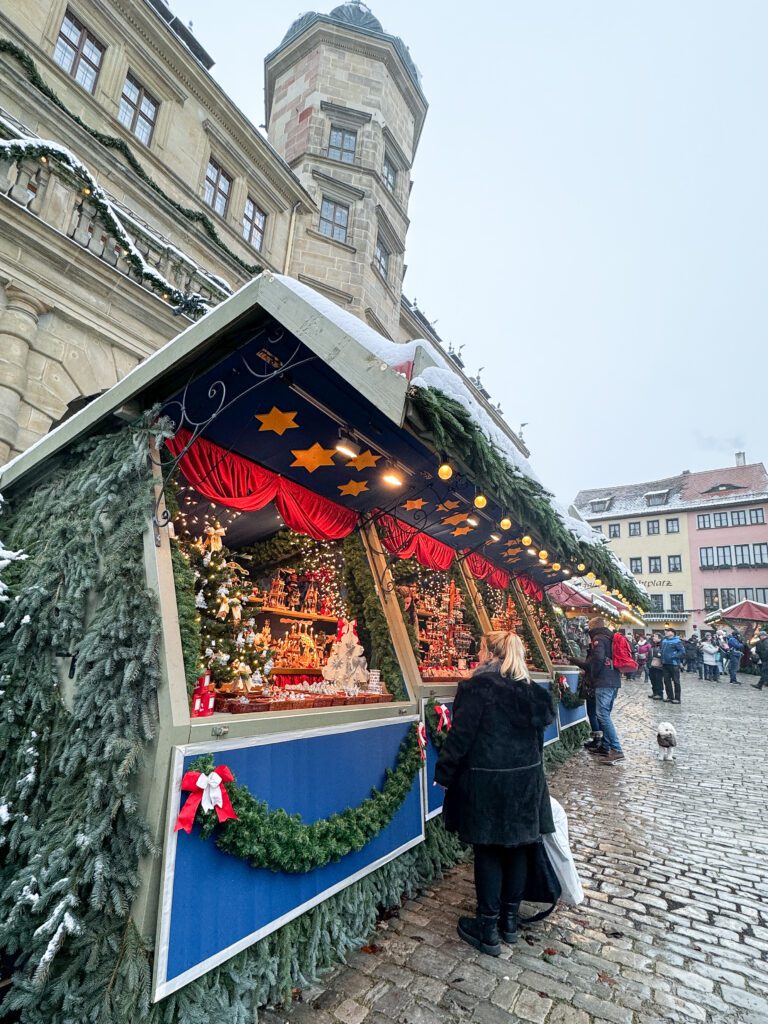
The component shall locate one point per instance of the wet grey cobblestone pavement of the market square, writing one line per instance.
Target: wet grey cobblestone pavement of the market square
(674, 860)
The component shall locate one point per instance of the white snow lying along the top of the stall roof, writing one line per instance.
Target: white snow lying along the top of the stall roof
(444, 377)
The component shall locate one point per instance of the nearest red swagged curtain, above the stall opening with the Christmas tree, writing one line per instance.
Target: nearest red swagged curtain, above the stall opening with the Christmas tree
(239, 484)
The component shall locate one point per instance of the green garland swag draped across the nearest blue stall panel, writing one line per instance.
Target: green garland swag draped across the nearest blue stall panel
(282, 842)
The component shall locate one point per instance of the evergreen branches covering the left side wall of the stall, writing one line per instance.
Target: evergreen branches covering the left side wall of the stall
(71, 750)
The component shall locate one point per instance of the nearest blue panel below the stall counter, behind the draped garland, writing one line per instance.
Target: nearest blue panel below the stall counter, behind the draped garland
(220, 900)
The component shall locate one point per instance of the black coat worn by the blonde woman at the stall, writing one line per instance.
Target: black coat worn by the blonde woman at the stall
(491, 763)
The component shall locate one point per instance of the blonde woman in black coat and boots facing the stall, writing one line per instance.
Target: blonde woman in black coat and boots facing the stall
(497, 799)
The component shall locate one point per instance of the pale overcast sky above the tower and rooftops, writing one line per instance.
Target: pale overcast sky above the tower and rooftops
(589, 215)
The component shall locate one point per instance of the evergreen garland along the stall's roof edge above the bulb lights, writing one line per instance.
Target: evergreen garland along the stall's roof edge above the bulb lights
(455, 433)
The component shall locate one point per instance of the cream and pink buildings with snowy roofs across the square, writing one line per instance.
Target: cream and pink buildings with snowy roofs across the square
(699, 542)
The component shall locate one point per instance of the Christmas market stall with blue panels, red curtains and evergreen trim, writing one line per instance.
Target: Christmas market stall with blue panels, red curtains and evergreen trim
(258, 567)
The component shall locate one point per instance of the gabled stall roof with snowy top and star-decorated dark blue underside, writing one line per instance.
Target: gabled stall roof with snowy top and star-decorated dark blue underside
(279, 331)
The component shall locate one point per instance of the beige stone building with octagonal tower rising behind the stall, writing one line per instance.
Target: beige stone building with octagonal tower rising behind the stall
(136, 183)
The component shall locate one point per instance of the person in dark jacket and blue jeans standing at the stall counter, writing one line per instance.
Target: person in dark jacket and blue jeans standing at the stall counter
(603, 682)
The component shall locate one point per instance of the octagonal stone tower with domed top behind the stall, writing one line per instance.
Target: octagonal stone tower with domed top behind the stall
(346, 109)
